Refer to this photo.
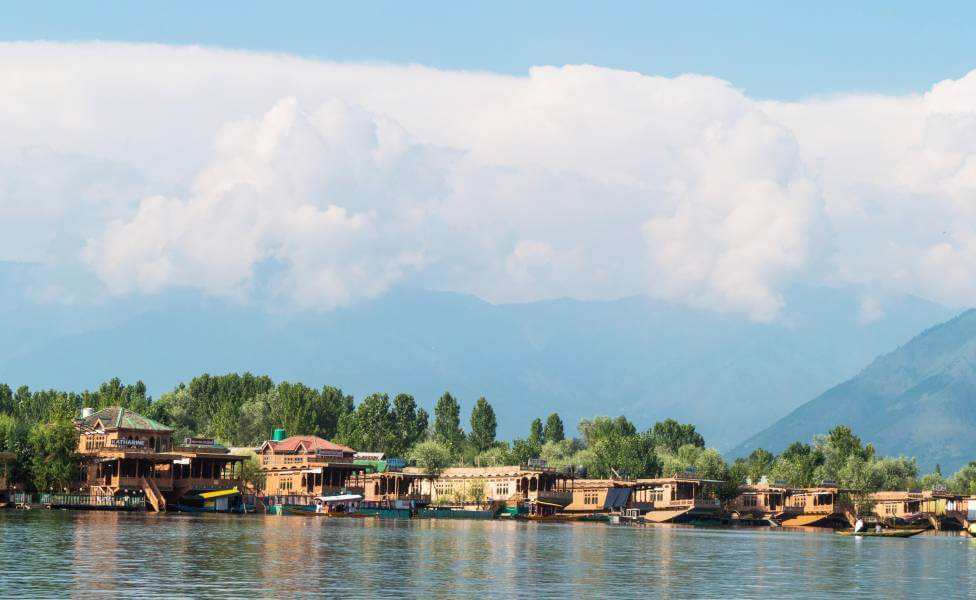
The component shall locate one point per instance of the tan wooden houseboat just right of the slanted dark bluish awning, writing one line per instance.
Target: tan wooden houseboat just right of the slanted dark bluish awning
(681, 497)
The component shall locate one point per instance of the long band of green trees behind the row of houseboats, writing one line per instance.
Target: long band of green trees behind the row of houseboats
(242, 410)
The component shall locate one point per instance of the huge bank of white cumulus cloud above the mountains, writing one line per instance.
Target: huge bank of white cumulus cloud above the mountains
(319, 184)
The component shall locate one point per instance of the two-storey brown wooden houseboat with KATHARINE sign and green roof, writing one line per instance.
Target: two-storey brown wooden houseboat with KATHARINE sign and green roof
(129, 460)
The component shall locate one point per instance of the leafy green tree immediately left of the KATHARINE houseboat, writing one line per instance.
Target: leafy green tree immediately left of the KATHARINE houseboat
(53, 459)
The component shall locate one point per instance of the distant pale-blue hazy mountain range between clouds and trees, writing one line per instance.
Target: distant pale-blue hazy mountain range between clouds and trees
(640, 357)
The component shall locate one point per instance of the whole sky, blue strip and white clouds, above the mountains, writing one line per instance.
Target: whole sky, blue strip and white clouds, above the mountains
(314, 155)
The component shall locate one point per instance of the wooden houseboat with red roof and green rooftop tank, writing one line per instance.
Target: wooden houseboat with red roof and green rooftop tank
(300, 468)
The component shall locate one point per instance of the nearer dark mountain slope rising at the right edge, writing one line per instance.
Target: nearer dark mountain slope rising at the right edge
(919, 400)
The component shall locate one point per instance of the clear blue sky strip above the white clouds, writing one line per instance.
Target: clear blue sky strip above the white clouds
(783, 50)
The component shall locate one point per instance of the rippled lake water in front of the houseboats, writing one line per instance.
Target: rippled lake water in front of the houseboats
(104, 554)
